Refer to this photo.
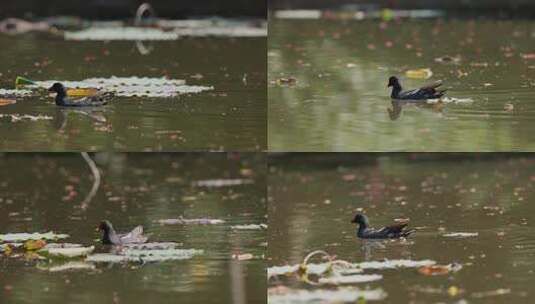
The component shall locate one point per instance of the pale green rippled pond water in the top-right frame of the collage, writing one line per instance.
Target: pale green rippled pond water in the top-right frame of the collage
(340, 101)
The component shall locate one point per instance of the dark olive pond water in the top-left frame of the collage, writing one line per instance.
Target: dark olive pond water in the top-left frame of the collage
(231, 117)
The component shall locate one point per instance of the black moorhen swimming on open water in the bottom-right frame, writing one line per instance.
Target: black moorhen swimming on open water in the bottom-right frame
(389, 232)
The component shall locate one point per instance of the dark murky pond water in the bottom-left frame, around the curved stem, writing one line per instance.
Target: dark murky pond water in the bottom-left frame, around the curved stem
(137, 189)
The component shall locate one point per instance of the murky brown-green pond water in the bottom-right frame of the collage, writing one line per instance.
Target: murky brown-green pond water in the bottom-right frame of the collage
(313, 198)
